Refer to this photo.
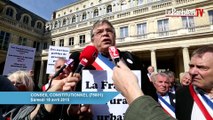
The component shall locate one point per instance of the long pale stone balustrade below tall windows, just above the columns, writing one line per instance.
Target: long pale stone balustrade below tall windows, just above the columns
(149, 37)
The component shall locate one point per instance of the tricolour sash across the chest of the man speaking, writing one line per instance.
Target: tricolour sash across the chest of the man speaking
(103, 63)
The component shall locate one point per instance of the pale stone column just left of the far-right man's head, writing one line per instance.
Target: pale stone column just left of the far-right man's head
(186, 59)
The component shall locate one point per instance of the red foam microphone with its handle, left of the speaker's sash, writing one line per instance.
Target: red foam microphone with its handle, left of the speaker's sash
(87, 57)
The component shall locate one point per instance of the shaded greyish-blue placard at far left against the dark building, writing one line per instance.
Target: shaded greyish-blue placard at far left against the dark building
(19, 58)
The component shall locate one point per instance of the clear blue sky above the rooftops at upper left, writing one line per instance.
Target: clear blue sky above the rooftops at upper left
(43, 8)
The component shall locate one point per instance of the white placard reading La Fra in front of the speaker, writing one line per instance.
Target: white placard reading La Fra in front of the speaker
(101, 81)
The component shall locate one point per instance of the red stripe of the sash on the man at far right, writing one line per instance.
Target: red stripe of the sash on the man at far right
(198, 101)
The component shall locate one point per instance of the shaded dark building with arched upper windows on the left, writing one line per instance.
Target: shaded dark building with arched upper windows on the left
(22, 27)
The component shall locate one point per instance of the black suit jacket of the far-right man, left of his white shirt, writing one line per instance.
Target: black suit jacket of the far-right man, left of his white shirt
(184, 104)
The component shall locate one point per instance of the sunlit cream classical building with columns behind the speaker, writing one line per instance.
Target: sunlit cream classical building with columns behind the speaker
(162, 33)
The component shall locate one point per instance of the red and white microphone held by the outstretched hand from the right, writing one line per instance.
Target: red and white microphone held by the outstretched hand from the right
(114, 54)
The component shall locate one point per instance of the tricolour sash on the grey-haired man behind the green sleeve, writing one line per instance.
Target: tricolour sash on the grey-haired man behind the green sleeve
(168, 108)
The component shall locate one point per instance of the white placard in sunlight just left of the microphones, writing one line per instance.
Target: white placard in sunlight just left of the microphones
(53, 54)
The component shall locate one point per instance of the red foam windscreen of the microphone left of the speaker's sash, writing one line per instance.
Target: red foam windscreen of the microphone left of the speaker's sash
(89, 53)
